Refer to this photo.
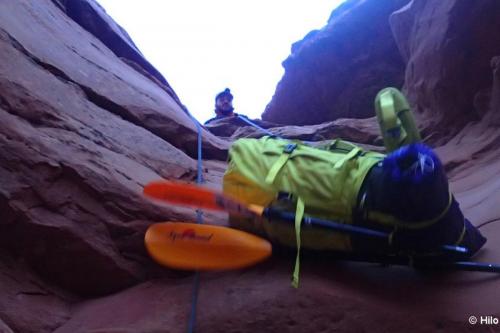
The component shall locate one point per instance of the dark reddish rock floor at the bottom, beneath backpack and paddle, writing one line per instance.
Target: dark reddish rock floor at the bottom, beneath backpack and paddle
(333, 298)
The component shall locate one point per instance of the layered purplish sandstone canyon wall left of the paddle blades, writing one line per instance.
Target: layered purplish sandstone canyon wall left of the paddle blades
(81, 133)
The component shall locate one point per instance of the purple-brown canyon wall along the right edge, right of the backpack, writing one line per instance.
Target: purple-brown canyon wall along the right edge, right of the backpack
(452, 51)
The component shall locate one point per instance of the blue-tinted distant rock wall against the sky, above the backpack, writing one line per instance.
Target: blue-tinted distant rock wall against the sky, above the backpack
(336, 72)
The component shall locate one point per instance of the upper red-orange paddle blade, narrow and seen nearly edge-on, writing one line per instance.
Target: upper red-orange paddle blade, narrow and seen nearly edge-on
(195, 196)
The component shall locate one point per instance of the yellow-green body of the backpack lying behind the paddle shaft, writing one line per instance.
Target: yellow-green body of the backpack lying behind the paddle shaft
(324, 181)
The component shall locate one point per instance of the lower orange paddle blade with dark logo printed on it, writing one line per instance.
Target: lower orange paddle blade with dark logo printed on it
(191, 246)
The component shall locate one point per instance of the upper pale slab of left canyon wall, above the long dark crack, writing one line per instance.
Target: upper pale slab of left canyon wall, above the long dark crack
(71, 54)
